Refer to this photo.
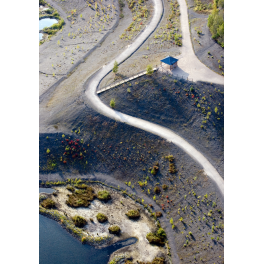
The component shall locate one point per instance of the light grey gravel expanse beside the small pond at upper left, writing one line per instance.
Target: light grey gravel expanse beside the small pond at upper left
(75, 40)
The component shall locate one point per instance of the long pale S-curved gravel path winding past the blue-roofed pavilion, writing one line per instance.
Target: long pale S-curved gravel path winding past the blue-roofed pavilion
(94, 102)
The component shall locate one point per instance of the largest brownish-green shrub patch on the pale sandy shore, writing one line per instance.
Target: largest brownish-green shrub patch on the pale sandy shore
(81, 197)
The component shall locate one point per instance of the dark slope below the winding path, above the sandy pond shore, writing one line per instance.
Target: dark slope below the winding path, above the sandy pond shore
(126, 153)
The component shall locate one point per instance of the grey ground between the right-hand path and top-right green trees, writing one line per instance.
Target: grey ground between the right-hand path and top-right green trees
(203, 43)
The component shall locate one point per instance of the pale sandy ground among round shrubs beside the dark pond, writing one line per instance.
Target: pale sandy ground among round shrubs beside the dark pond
(115, 211)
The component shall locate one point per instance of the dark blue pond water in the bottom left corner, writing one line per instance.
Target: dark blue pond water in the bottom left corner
(57, 246)
